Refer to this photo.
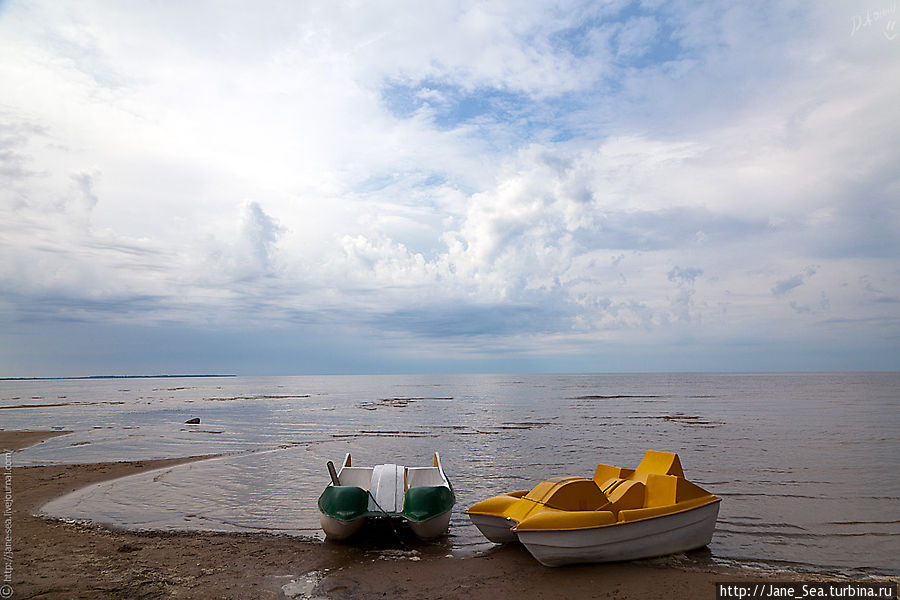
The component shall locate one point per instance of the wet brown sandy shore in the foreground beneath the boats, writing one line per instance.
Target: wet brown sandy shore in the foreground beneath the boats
(56, 559)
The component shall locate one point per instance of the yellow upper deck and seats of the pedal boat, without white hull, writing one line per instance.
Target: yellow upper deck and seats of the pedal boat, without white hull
(613, 495)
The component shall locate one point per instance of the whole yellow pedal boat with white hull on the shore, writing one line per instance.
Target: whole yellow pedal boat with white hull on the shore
(619, 514)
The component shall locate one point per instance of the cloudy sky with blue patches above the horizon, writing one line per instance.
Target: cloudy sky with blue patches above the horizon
(449, 186)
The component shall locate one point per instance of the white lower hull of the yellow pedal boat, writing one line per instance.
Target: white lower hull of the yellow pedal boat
(678, 532)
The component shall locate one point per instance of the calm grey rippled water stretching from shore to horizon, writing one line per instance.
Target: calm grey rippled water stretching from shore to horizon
(806, 464)
